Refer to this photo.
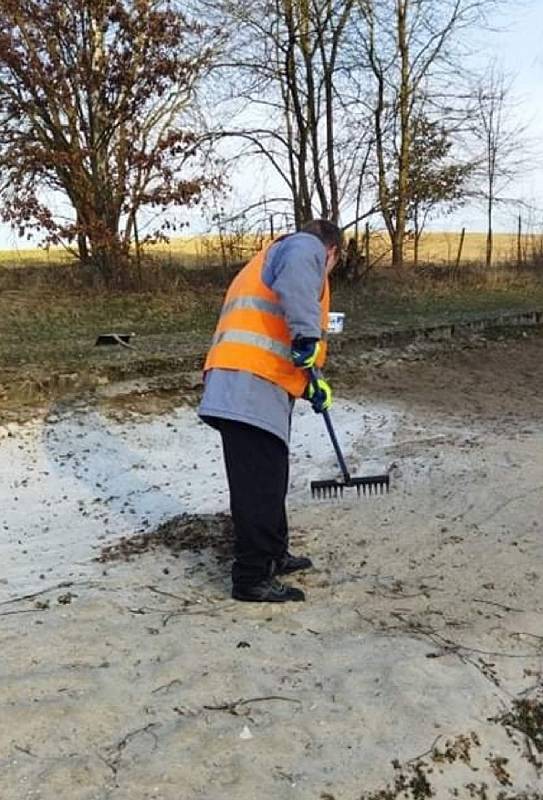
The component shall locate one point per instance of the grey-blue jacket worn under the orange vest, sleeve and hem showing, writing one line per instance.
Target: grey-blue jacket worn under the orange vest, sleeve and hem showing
(295, 268)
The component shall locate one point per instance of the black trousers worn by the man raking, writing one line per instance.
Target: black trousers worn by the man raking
(257, 469)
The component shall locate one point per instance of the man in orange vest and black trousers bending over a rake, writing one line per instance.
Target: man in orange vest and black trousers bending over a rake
(270, 333)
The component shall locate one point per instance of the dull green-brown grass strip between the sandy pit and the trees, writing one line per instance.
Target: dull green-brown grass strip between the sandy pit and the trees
(49, 323)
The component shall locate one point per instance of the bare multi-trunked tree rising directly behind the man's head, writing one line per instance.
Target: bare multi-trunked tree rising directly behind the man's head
(287, 64)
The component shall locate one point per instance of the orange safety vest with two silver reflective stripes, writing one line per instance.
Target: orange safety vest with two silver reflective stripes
(252, 334)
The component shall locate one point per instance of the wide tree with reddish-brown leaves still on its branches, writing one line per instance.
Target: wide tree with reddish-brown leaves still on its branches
(92, 93)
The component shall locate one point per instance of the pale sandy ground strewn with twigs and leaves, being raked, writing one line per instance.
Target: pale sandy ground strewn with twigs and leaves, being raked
(415, 668)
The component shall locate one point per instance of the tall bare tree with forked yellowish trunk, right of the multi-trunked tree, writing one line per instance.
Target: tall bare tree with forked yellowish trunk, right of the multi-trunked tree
(411, 49)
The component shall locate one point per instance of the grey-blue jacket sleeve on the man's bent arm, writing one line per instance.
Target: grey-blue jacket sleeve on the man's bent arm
(296, 269)
